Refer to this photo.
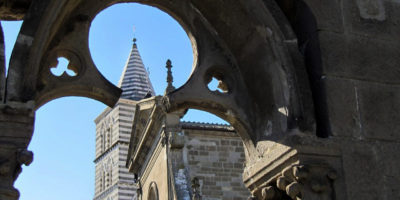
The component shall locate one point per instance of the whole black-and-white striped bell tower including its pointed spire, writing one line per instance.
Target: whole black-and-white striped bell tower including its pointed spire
(113, 128)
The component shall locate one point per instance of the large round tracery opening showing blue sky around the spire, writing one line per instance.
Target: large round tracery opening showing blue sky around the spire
(159, 37)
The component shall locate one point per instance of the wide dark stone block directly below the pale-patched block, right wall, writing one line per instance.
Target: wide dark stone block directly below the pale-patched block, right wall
(359, 57)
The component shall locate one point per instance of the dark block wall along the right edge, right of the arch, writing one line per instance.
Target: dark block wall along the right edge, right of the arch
(360, 50)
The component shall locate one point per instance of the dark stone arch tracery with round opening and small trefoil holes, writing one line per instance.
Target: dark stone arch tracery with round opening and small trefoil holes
(241, 44)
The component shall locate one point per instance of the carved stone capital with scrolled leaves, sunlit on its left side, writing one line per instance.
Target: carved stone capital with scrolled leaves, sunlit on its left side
(297, 172)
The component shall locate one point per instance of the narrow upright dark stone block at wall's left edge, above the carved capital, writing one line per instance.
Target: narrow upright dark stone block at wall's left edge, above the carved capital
(342, 107)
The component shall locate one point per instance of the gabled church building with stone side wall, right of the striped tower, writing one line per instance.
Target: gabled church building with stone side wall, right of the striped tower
(173, 154)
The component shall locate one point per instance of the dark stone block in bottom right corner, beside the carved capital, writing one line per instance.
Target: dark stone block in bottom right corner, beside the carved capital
(371, 170)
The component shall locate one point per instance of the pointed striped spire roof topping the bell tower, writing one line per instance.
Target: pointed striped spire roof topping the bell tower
(135, 82)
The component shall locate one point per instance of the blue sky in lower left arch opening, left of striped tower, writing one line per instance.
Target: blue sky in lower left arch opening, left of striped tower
(63, 157)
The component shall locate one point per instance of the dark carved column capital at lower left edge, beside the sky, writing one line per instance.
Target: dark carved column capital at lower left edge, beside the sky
(16, 128)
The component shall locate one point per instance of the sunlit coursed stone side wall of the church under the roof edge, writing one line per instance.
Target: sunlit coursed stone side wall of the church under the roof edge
(216, 158)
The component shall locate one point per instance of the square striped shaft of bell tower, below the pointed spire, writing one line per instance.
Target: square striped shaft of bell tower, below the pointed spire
(113, 128)
